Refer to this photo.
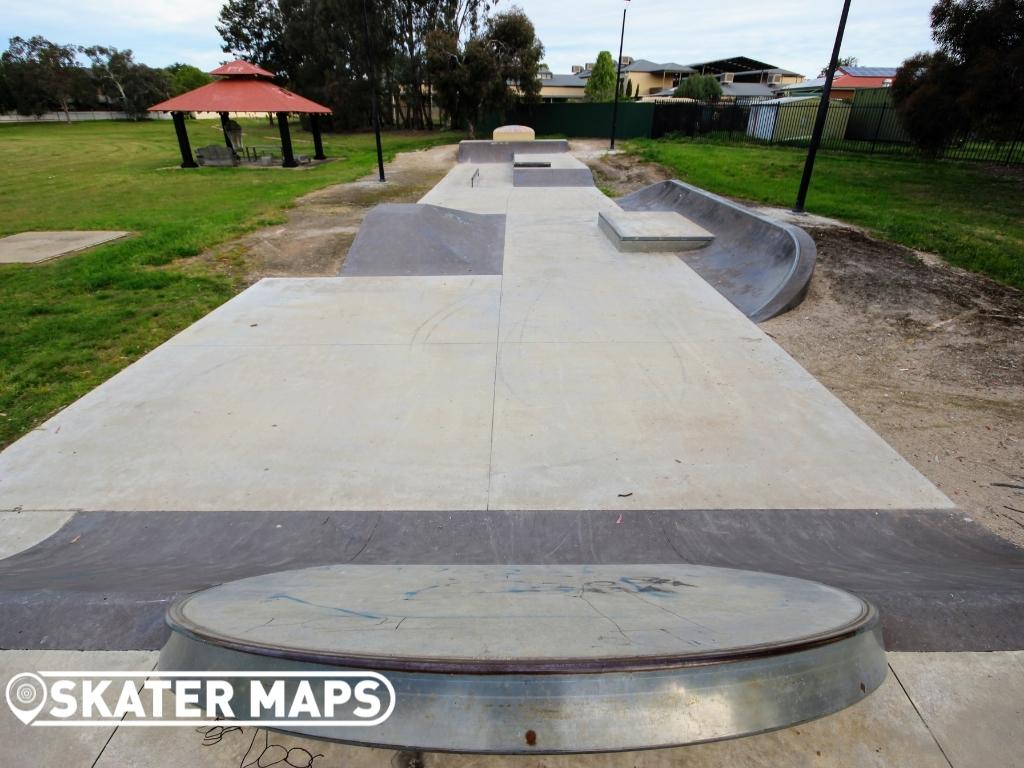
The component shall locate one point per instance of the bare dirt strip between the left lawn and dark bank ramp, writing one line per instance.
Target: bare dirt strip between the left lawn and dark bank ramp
(321, 227)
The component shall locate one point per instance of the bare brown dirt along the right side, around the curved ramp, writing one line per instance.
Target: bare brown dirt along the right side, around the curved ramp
(930, 356)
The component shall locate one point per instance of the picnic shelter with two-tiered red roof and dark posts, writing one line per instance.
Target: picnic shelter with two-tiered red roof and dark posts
(244, 88)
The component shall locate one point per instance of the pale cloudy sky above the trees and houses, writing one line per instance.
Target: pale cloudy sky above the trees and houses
(794, 34)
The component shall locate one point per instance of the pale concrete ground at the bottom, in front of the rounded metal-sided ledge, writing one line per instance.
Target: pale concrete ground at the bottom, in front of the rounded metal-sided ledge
(913, 721)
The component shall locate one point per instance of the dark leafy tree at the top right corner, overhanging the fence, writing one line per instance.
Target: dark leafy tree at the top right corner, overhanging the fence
(974, 83)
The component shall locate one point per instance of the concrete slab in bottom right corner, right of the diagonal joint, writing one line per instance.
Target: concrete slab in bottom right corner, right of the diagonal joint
(973, 704)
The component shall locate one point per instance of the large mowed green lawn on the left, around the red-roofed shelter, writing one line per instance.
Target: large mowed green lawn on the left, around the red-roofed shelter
(68, 325)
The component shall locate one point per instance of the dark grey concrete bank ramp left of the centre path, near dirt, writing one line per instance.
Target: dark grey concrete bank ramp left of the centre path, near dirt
(425, 240)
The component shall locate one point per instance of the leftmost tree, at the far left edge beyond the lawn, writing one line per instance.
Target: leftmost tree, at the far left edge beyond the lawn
(41, 75)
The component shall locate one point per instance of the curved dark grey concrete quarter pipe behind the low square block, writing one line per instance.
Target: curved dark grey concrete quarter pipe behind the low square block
(761, 266)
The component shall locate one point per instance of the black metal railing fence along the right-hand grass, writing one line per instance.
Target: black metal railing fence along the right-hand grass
(868, 127)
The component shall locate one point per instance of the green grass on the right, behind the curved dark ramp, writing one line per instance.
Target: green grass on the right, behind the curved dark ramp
(971, 216)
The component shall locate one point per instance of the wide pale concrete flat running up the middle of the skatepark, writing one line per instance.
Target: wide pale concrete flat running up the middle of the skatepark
(582, 378)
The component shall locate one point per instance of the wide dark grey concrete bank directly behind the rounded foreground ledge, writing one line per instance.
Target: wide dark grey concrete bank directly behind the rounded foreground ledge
(105, 579)
